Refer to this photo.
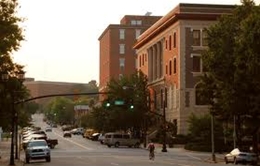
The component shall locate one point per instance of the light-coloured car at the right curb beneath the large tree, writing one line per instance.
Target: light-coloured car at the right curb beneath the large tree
(236, 156)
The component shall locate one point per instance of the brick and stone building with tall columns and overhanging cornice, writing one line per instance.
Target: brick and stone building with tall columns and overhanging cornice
(169, 53)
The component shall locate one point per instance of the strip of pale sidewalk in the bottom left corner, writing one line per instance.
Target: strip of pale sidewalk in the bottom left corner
(5, 154)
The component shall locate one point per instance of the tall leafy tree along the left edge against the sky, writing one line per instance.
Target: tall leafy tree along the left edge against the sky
(11, 34)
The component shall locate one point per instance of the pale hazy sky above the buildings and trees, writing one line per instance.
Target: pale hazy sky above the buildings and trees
(62, 35)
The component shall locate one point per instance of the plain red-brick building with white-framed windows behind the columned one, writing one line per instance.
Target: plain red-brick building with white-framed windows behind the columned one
(117, 56)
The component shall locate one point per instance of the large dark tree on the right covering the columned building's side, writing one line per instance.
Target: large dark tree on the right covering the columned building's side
(232, 62)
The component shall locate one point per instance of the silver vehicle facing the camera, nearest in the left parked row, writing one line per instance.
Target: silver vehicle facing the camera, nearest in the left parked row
(37, 149)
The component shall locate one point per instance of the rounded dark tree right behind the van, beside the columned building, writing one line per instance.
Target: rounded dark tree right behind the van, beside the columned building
(130, 91)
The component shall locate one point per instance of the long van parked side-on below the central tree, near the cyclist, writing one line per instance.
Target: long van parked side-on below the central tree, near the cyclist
(120, 139)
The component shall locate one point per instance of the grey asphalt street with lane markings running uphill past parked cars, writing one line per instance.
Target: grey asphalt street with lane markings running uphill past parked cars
(79, 151)
